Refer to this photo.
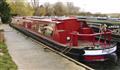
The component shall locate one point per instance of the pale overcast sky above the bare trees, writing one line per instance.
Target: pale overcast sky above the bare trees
(94, 6)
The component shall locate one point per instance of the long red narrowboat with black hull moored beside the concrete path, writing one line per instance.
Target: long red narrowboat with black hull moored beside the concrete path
(69, 36)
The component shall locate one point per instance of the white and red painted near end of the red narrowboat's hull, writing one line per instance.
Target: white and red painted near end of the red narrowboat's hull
(100, 54)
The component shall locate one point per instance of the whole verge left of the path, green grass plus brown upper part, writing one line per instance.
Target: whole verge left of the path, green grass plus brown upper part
(6, 62)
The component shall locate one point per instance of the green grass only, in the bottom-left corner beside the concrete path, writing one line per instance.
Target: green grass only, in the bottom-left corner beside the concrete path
(6, 62)
